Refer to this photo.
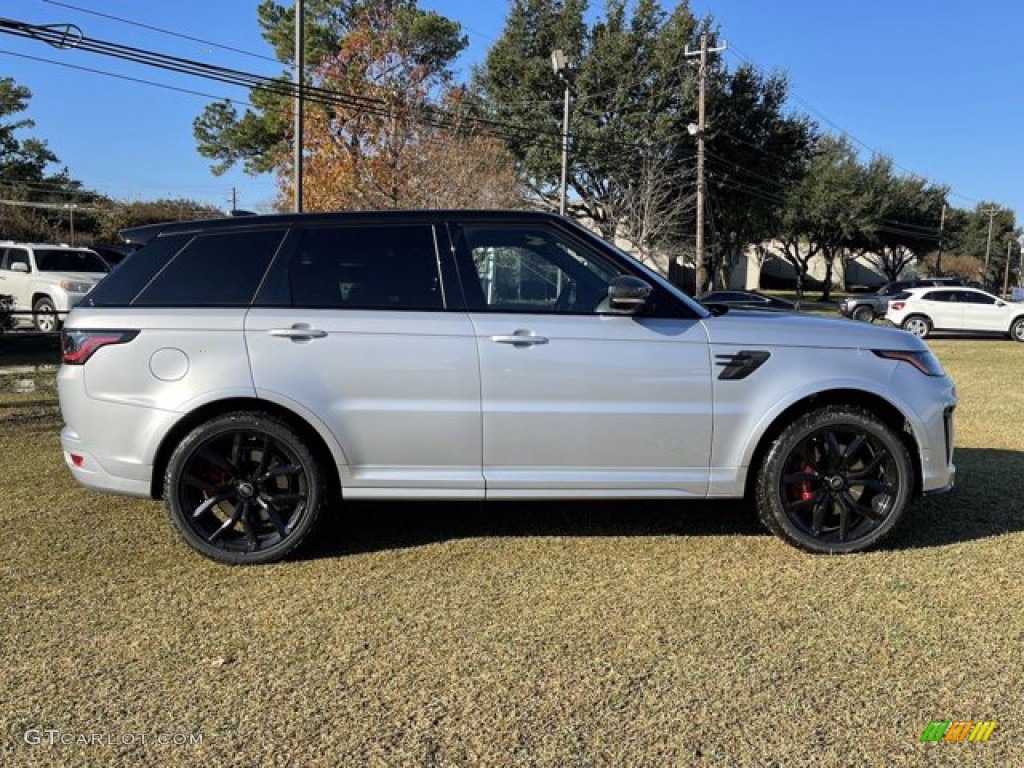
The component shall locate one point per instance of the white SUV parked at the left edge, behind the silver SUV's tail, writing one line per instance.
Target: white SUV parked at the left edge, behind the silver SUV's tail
(47, 281)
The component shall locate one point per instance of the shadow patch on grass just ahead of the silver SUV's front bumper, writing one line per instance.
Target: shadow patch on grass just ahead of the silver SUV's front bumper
(988, 502)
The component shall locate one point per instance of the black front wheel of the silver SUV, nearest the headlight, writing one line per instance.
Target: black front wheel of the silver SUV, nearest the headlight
(835, 482)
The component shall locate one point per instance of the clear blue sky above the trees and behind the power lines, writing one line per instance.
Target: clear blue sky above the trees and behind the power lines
(935, 84)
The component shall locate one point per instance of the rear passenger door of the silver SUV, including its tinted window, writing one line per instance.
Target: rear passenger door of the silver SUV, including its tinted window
(357, 328)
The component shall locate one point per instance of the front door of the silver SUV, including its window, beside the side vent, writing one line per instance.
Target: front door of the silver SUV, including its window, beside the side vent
(579, 400)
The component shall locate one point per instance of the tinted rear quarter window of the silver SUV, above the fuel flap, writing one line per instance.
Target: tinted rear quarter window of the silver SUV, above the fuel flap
(216, 270)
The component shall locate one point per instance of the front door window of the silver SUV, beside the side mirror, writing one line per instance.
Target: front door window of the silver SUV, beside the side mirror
(530, 270)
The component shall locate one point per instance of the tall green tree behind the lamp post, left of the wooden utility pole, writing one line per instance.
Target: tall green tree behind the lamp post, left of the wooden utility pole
(631, 157)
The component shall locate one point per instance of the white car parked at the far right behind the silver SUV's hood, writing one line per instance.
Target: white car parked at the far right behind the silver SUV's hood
(922, 311)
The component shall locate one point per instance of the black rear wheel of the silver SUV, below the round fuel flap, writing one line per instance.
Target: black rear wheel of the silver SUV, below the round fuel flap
(244, 489)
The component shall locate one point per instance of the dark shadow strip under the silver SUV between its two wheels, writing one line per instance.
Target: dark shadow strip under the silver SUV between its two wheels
(372, 527)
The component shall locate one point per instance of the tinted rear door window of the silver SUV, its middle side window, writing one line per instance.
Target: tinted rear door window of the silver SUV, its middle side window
(367, 268)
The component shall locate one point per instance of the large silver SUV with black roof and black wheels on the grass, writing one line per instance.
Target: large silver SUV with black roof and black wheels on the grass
(252, 371)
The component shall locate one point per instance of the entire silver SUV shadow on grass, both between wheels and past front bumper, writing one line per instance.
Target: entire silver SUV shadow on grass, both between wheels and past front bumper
(987, 502)
